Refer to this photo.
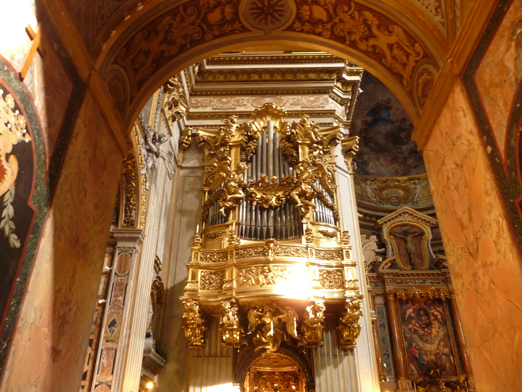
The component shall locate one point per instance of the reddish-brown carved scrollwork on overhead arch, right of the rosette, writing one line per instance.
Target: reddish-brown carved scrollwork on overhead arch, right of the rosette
(358, 26)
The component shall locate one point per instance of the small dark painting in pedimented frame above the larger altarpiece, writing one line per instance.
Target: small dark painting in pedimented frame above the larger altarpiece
(410, 246)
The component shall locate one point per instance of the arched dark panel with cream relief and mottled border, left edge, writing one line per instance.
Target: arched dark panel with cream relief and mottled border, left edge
(21, 153)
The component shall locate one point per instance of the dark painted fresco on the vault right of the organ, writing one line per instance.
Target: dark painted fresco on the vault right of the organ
(384, 129)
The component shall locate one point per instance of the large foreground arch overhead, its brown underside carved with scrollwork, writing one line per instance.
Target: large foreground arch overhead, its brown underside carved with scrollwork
(159, 43)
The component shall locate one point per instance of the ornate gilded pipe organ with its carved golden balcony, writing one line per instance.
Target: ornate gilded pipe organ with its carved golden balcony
(269, 257)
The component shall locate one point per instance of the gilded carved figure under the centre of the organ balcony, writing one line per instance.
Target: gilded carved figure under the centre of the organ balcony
(272, 325)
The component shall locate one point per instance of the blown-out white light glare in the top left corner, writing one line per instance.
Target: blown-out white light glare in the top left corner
(17, 15)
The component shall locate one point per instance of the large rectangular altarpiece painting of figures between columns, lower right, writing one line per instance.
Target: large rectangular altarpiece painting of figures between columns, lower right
(427, 341)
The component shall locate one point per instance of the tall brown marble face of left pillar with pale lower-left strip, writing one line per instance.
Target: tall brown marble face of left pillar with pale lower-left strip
(50, 343)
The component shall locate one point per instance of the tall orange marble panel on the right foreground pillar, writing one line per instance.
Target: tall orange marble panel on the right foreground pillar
(482, 252)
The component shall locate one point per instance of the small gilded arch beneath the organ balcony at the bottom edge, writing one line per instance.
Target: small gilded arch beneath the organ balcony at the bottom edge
(286, 351)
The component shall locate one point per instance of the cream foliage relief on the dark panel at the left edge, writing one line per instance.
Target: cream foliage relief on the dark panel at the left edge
(12, 131)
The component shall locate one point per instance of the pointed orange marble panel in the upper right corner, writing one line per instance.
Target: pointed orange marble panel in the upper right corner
(499, 74)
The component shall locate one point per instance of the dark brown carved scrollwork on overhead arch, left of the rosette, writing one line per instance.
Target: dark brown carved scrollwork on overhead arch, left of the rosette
(183, 27)
